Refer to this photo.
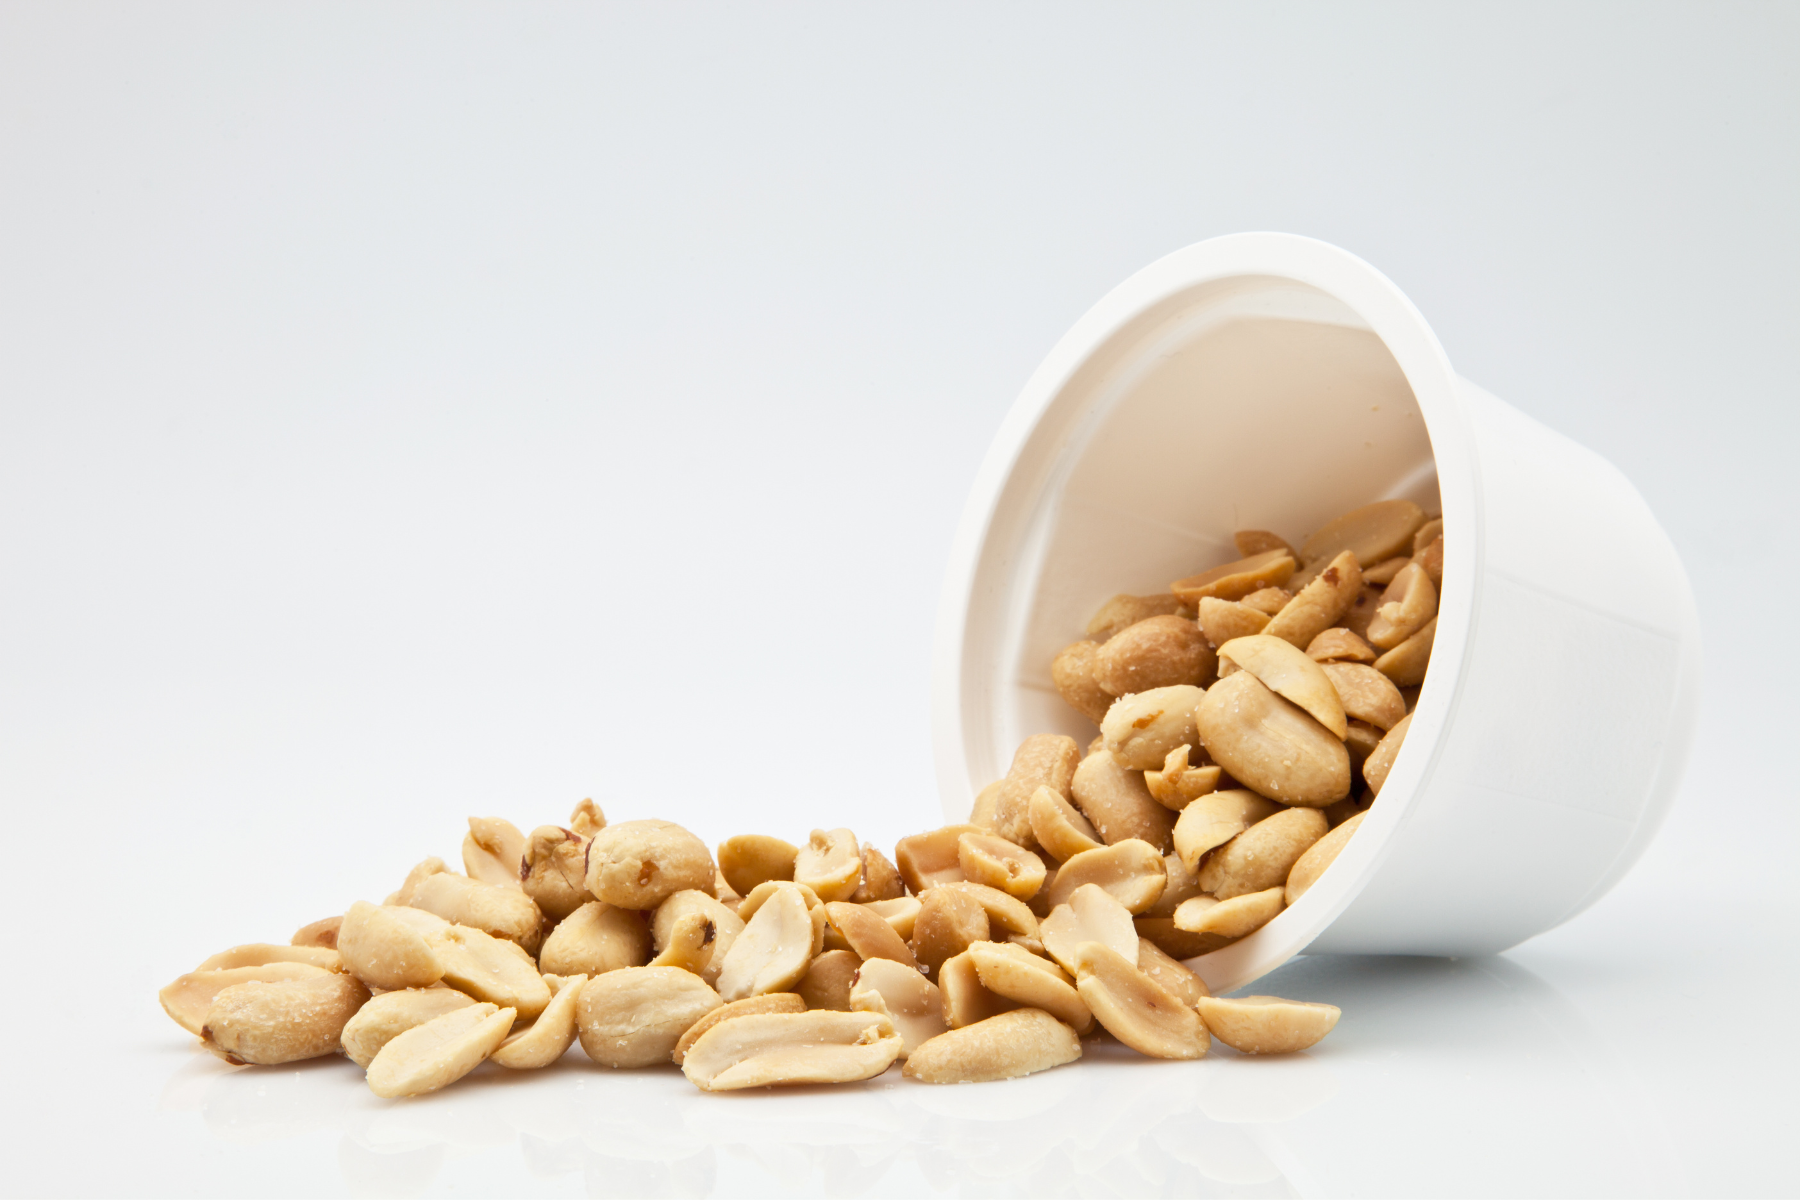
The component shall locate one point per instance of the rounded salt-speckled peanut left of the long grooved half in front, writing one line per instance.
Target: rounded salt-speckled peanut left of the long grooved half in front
(634, 1017)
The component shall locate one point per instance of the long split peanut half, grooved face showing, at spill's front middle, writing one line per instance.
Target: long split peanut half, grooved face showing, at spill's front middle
(791, 1048)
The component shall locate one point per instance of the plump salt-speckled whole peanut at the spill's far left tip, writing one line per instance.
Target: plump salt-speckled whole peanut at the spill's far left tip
(282, 1023)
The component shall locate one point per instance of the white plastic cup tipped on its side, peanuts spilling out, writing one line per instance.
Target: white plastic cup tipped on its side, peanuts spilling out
(1272, 382)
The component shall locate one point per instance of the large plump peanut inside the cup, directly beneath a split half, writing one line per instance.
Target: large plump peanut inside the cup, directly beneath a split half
(1272, 746)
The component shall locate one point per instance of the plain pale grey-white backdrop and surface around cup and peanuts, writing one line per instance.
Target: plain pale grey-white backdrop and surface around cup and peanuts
(411, 413)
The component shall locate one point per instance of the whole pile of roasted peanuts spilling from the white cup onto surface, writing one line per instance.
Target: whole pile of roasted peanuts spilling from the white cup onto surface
(1194, 818)
